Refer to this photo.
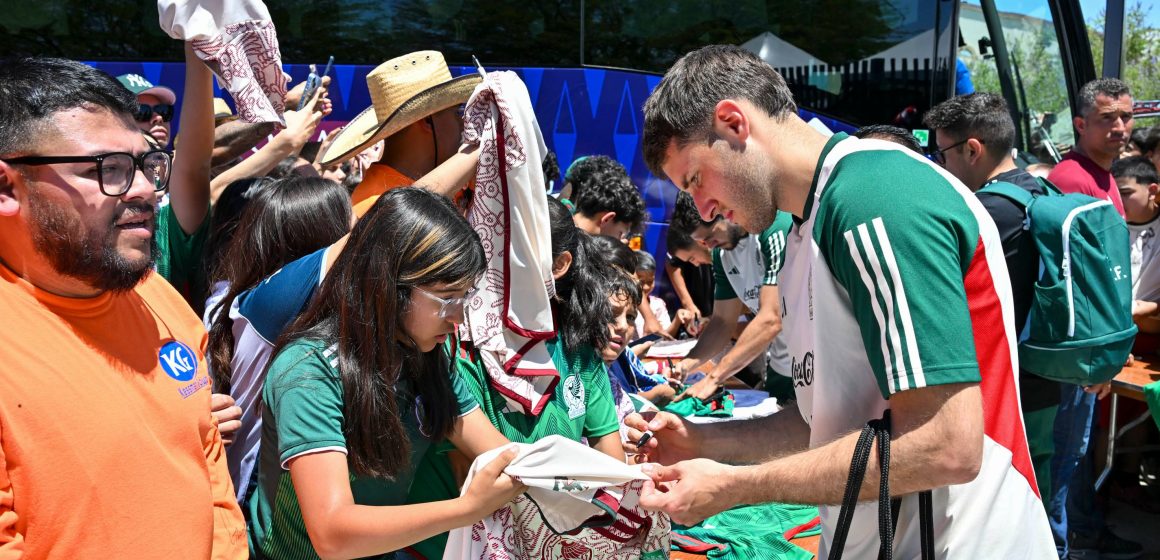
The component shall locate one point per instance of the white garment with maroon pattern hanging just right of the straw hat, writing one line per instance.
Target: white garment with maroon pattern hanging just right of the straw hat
(511, 316)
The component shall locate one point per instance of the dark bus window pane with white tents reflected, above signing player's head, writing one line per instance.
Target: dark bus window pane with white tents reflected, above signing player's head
(864, 62)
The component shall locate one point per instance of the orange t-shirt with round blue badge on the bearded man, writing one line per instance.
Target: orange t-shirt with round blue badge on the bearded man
(107, 445)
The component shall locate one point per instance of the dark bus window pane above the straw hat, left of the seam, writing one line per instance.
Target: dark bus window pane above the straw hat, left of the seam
(511, 33)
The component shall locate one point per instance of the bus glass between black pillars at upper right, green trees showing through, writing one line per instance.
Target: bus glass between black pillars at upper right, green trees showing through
(1039, 92)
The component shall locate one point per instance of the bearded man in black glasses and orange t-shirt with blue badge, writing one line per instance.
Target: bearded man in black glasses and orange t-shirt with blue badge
(107, 445)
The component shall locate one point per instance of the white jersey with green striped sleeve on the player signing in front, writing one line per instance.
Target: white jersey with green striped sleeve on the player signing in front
(896, 281)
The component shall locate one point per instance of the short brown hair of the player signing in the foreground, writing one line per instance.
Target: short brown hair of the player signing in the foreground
(681, 108)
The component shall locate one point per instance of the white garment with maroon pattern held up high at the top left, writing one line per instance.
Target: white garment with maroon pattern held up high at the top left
(237, 40)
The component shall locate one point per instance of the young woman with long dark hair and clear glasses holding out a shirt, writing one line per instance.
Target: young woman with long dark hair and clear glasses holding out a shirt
(360, 388)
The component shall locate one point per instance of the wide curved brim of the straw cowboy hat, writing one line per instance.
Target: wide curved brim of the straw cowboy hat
(366, 129)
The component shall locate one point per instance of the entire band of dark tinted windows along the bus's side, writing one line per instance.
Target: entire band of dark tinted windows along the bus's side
(862, 62)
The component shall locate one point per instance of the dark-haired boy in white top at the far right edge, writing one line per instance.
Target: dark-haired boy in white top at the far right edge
(1139, 187)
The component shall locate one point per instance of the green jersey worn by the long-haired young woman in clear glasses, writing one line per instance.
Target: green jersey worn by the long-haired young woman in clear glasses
(303, 414)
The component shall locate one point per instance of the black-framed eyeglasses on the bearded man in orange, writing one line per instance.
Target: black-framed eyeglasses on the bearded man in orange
(114, 171)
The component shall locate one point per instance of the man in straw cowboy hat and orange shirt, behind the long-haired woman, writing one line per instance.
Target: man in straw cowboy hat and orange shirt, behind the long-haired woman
(417, 107)
